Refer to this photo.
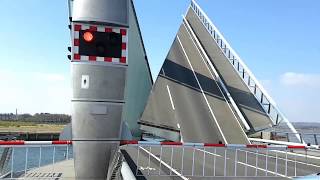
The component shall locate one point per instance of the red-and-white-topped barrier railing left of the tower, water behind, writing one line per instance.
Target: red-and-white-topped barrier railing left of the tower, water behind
(29, 156)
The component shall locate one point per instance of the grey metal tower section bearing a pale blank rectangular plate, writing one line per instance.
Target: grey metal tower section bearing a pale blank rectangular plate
(96, 120)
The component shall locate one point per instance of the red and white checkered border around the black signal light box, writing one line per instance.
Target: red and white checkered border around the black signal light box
(77, 57)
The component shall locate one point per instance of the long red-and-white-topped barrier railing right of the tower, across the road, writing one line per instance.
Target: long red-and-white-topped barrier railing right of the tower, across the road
(186, 160)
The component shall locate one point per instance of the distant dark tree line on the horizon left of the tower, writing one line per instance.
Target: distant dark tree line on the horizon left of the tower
(38, 118)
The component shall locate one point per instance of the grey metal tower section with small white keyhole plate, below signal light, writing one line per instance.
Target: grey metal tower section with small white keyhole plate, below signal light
(98, 82)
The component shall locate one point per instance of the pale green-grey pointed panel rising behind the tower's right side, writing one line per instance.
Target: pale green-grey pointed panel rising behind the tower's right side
(139, 79)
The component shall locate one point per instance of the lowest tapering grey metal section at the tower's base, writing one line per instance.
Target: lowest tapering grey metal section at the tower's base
(92, 159)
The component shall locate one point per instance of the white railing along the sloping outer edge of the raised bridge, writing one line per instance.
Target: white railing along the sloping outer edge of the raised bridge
(246, 75)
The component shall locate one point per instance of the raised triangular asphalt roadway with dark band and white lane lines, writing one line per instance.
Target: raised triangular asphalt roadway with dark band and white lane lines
(187, 97)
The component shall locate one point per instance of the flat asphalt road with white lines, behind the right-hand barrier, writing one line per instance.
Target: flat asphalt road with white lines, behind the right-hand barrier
(199, 163)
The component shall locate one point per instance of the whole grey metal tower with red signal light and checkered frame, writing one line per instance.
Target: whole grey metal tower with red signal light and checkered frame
(99, 66)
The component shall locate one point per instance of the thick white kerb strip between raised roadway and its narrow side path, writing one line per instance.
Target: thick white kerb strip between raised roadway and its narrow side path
(246, 125)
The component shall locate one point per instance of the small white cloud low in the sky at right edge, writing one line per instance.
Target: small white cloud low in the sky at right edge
(300, 79)
